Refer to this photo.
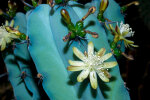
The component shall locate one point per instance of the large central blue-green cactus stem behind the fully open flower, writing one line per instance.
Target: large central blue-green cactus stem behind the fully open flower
(51, 56)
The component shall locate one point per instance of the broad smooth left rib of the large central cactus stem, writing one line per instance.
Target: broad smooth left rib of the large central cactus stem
(46, 57)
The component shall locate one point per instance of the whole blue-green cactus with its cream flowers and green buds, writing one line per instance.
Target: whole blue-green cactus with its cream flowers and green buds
(47, 34)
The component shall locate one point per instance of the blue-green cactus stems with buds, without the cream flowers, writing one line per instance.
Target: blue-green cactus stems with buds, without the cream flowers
(51, 54)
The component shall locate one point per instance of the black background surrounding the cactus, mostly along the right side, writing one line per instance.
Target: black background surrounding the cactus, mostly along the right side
(135, 73)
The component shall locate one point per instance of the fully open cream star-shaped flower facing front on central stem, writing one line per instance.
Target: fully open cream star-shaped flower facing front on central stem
(91, 64)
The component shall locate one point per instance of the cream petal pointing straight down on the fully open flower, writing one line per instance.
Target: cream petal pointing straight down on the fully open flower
(93, 79)
